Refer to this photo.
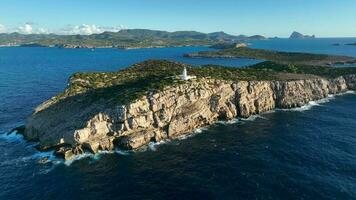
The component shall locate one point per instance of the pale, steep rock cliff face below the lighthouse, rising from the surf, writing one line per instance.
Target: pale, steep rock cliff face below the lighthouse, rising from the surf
(72, 127)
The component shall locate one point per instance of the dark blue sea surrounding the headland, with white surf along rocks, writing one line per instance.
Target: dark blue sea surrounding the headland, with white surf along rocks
(302, 153)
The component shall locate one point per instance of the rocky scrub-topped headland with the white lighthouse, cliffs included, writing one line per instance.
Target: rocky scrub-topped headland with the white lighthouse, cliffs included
(149, 102)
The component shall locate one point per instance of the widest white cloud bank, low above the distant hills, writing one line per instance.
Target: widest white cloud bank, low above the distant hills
(87, 29)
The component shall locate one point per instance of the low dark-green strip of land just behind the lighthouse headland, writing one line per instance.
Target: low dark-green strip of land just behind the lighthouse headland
(276, 56)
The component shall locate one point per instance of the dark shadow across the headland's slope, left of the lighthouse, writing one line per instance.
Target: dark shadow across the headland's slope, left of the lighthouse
(75, 111)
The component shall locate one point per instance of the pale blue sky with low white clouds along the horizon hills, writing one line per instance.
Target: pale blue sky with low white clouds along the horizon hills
(324, 18)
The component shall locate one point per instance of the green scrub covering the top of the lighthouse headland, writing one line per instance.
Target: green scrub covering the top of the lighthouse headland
(131, 83)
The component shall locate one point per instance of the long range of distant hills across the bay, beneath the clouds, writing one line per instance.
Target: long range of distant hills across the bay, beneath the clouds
(127, 39)
